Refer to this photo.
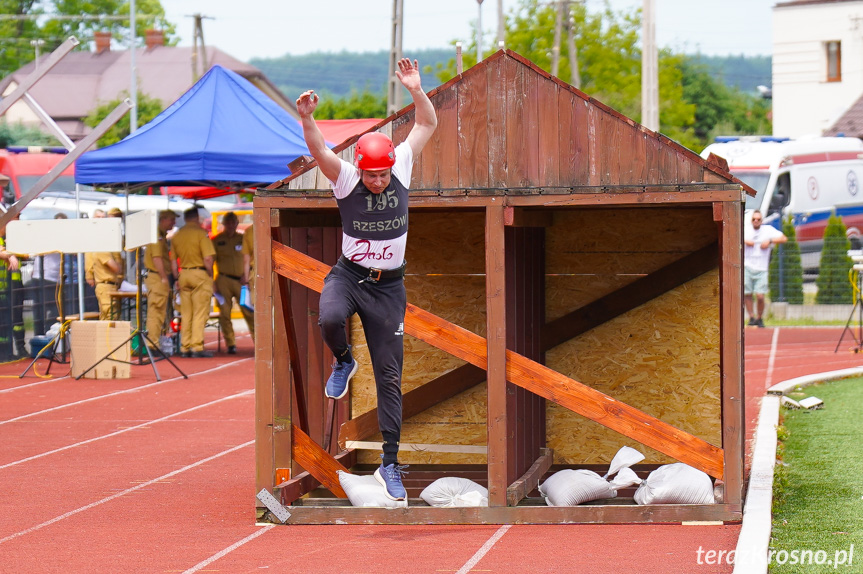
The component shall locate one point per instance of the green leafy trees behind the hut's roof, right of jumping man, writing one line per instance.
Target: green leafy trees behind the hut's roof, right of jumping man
(609, 63)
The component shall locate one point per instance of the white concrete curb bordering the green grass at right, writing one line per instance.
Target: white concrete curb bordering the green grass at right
(750, 556)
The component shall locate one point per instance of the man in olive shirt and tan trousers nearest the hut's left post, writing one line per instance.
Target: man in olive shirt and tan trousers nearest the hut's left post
(229, 264)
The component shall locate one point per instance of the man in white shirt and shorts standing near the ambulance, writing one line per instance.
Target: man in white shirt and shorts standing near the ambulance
(758, 242)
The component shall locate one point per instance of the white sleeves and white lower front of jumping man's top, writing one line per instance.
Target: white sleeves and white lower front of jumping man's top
(383, 254)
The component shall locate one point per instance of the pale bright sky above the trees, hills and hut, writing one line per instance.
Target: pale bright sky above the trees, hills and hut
(248, 29)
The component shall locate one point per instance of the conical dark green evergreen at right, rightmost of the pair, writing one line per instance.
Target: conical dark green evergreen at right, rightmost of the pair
(834, 286)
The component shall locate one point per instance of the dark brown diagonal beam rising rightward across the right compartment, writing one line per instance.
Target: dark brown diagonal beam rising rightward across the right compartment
(630, 296)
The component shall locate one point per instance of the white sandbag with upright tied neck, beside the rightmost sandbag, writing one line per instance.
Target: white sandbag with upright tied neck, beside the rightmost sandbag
(570, 487)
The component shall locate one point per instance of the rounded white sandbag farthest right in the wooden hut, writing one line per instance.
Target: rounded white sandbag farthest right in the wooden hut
(676, 483)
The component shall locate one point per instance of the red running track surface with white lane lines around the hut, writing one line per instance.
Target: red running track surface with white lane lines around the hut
(138, 476)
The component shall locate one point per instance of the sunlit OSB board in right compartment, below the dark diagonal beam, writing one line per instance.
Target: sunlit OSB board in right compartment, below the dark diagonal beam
(662, 357)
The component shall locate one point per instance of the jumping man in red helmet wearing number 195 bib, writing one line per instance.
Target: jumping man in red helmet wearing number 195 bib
(368, 279)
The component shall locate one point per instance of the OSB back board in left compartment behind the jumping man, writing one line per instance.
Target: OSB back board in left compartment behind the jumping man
(445, 275)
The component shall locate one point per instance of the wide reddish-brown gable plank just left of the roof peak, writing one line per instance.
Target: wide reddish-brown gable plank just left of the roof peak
(473, 142)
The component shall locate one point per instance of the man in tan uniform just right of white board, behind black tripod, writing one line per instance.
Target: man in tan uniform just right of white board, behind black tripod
(157, 261)
